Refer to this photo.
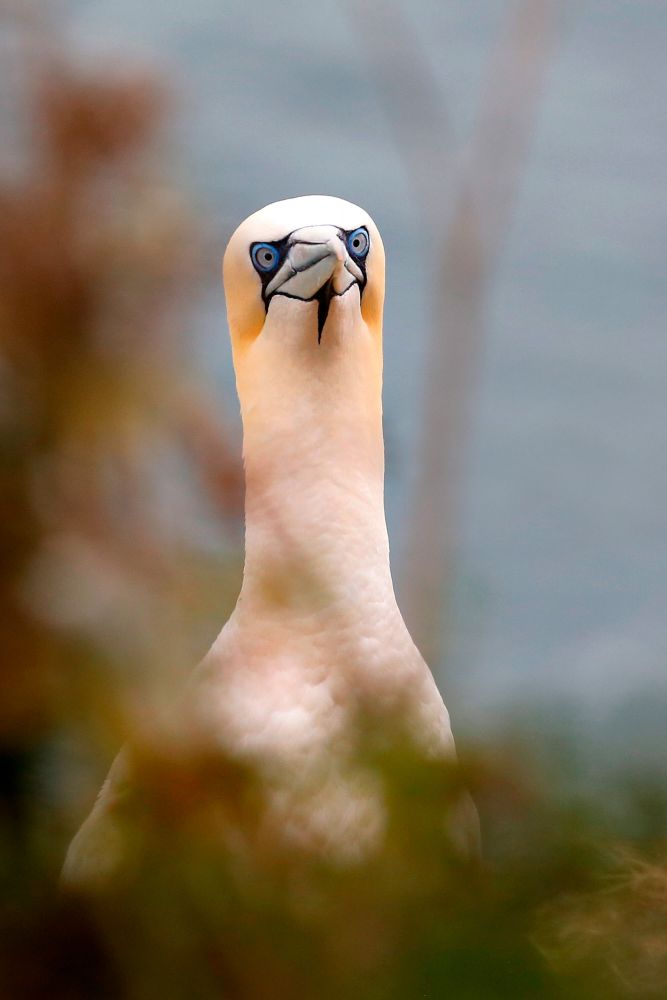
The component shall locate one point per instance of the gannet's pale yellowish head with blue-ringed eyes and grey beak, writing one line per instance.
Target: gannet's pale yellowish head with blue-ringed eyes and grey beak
(292, 260)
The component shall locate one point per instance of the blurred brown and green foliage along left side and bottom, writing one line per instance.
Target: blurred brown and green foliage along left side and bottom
(109, 595)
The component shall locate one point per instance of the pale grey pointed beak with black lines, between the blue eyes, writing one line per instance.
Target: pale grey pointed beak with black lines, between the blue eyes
(317, 267)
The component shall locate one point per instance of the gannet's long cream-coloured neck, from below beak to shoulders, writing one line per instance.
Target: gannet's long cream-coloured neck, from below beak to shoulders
(314, 459)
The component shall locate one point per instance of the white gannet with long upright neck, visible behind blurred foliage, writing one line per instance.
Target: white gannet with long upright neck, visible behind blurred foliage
(316, 631)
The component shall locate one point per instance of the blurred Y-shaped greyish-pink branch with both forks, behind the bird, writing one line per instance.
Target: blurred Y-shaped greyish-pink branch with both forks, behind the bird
(474, 229)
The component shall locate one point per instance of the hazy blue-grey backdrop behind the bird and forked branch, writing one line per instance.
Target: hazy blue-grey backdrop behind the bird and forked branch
(562, 574)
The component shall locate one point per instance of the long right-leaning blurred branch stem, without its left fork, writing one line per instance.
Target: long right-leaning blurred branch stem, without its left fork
(470, 252)
